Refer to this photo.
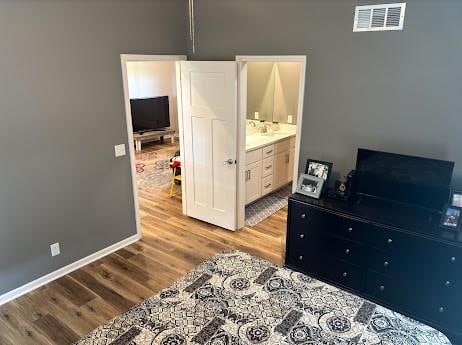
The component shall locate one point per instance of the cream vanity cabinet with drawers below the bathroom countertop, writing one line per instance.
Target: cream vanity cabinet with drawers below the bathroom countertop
(268, 168)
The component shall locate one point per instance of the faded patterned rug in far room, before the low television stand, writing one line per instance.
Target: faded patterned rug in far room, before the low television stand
(153, 171)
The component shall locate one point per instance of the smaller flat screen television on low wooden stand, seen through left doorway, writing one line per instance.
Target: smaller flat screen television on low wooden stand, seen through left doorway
(150, 113)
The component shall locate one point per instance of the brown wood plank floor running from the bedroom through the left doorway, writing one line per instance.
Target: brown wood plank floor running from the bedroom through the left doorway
(68, 308)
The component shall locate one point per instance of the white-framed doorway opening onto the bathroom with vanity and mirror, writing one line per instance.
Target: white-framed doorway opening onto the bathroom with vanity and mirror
(271, 96)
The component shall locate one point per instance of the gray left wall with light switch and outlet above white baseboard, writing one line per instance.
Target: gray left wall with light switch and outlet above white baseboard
(61, 113)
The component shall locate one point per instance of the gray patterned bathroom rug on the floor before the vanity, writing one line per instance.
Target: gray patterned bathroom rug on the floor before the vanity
(265, 207)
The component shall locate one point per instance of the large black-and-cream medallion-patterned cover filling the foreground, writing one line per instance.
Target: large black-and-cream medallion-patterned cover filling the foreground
(238, 299)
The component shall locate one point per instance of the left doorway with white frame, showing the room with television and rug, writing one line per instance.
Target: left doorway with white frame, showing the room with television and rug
(151, 106)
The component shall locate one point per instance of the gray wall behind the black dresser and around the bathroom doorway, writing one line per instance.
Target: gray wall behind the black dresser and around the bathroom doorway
(393, 91)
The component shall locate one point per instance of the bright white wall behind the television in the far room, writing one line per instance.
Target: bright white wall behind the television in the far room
(154, 79)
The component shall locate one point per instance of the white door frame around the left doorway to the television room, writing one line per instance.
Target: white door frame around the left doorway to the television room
(124, 58)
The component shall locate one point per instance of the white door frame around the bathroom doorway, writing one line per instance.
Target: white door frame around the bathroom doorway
(242, 61)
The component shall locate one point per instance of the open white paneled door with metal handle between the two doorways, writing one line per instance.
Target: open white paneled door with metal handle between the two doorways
(209, 101)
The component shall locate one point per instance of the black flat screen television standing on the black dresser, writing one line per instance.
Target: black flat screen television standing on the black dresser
(412, 180)
